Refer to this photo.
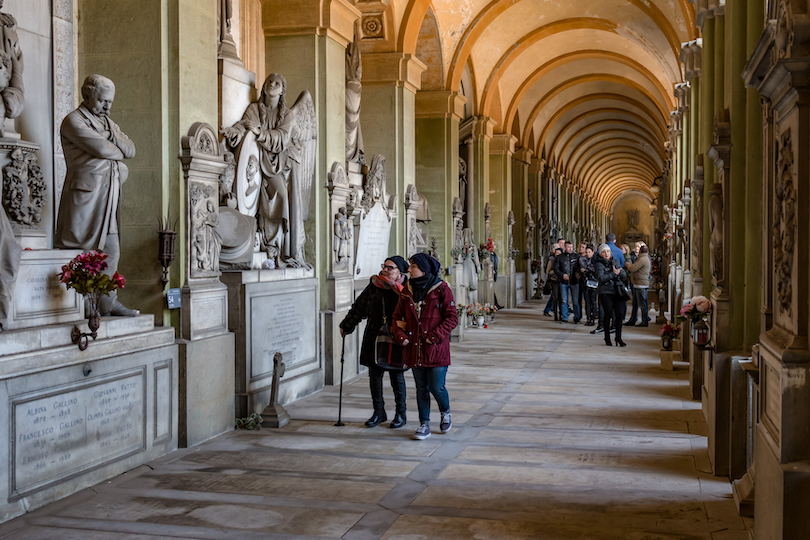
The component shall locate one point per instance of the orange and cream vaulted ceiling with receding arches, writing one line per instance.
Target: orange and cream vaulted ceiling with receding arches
(588, 84)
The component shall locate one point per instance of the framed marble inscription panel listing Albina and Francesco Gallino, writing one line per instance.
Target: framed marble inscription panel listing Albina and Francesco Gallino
(60, 433)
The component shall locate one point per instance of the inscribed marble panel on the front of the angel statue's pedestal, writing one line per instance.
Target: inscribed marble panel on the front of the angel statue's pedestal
(285, 323)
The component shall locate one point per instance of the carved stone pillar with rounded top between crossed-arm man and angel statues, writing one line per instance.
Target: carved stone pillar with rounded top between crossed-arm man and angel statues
(206, 346)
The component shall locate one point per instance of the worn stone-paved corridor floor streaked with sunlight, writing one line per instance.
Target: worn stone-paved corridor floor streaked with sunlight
(555, 436)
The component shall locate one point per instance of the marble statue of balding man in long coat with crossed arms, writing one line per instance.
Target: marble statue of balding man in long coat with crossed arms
(89, 213)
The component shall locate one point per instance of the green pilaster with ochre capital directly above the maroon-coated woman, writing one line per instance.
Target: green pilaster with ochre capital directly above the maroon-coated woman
(437, 149)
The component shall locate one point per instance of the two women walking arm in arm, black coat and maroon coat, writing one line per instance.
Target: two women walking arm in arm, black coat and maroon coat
(409, 301)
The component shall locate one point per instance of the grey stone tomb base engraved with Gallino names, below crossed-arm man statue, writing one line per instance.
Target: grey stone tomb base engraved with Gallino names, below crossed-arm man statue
(76, 418)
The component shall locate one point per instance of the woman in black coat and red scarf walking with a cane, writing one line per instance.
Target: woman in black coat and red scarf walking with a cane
(377, 302)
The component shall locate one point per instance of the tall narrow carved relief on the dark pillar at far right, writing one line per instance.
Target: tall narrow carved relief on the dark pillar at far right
(784, 224)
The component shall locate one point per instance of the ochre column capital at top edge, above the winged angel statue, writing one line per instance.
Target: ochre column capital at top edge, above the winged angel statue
(332, 18)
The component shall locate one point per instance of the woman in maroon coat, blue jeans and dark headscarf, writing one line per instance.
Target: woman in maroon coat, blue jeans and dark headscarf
(425, 316)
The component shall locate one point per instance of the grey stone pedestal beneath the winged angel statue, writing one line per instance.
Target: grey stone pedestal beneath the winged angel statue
(274, 311)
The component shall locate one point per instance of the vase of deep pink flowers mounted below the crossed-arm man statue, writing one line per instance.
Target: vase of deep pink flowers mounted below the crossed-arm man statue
(85, 274)
